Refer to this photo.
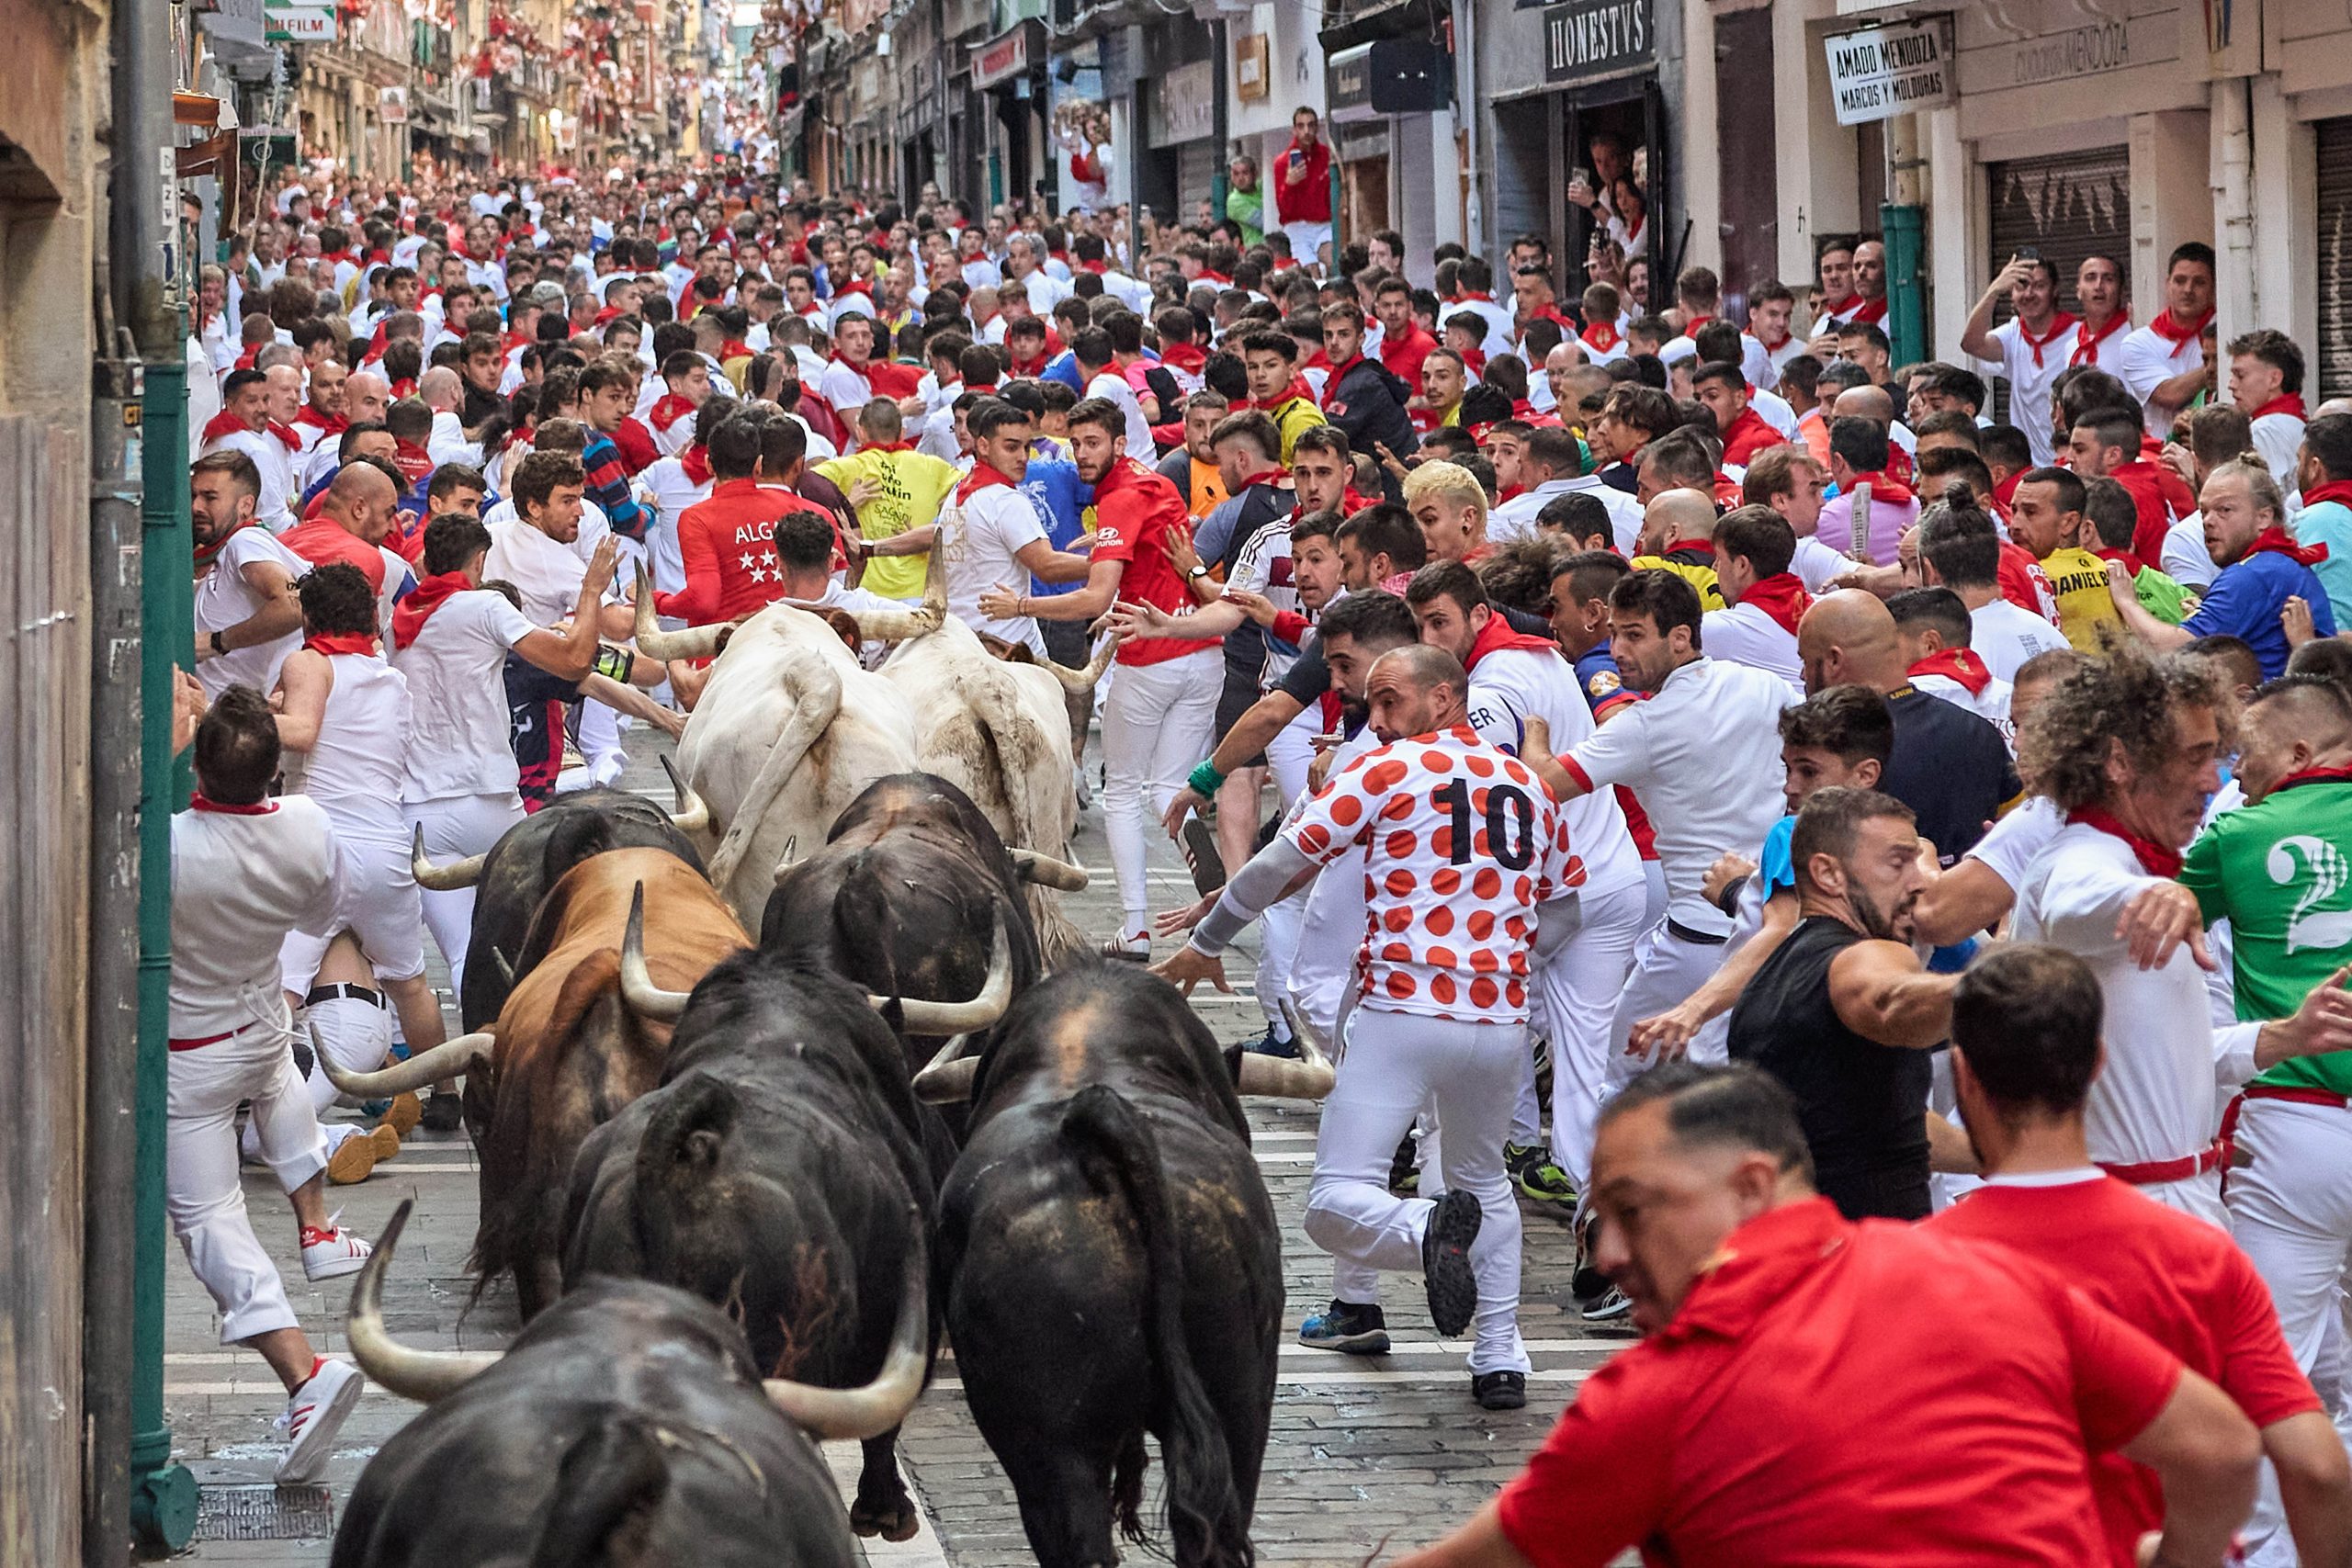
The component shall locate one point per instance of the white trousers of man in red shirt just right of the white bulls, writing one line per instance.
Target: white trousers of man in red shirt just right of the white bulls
(1156, 728)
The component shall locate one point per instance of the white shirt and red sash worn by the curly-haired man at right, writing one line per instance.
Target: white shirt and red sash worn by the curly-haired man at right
(2153, 1113)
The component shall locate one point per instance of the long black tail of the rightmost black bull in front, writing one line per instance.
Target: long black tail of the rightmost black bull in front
(1205, 1508)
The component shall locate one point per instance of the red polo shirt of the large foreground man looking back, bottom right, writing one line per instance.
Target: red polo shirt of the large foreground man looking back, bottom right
(1840, 1395)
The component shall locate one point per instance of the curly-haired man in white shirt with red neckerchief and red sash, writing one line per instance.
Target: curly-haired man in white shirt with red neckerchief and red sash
(2130, 749)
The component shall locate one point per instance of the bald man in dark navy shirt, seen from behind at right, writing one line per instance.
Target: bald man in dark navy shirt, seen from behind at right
(1951, 768)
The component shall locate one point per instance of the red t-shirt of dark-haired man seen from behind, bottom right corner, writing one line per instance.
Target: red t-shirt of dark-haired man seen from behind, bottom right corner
(2174, 1278)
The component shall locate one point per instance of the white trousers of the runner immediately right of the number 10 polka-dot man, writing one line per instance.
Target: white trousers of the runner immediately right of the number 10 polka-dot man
(1577, 989)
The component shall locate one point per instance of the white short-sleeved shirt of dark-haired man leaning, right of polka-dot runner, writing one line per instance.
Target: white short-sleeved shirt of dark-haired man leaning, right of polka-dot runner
(1704, 756)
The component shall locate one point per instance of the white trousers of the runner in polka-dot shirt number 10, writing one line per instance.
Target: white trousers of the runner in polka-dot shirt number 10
(1394, 1066)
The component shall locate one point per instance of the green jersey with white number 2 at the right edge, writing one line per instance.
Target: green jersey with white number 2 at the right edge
(2283, 876)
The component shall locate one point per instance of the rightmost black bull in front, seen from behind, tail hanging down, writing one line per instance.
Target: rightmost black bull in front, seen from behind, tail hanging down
(1111, 1266)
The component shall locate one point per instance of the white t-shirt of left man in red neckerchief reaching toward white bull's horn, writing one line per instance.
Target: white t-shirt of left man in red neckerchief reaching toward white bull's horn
(457, 699)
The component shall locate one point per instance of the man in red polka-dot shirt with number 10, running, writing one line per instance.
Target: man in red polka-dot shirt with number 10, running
(1443, 1017)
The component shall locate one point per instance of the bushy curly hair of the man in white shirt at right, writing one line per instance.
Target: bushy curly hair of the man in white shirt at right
(2125, 699)
